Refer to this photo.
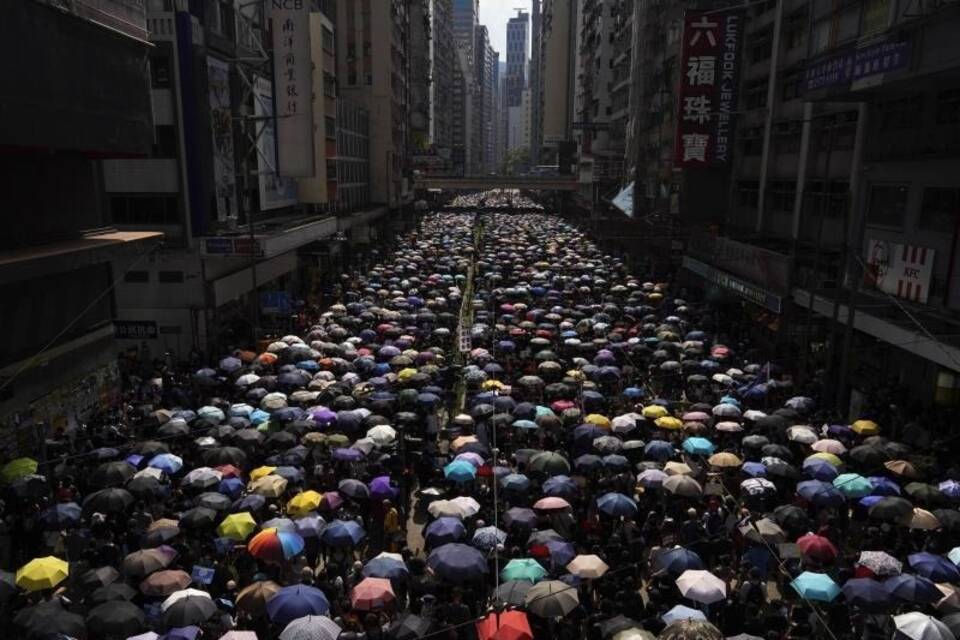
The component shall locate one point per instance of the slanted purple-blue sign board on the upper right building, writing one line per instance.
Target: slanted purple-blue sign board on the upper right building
(859, 64)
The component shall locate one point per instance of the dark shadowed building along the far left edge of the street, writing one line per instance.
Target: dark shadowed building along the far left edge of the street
(60, 250)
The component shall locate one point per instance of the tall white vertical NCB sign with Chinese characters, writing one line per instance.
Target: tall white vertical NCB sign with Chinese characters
(293, 81)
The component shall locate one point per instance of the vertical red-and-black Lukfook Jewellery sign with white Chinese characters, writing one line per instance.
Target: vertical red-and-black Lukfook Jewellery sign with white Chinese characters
(709, 79)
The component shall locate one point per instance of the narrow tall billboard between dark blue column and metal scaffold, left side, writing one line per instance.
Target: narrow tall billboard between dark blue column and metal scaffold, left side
(221, 127)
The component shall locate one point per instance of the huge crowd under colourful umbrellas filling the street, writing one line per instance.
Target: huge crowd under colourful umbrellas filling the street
(497, 432)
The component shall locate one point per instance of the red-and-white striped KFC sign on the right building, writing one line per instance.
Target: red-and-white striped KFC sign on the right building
(899, 269)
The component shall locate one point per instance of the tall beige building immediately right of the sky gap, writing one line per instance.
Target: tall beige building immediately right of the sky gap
(558, 74)
